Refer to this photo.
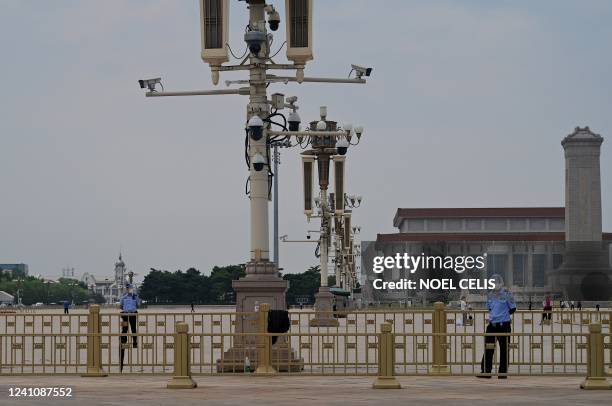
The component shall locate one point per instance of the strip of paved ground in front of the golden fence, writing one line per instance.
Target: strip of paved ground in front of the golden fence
(230, 390)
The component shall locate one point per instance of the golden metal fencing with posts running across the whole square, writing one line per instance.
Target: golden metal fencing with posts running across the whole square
(420, 342)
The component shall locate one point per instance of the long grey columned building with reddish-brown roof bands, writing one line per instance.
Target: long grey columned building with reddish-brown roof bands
(523, 244)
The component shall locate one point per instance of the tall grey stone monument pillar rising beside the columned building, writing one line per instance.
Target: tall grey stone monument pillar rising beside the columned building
(585, 272)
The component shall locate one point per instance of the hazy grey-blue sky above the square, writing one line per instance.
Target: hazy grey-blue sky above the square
(466, 107)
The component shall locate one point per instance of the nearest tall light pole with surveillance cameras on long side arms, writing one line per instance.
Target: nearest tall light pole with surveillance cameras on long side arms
(261, 283)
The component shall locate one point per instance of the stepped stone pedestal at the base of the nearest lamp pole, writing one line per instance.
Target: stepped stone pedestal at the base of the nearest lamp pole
(261, 285)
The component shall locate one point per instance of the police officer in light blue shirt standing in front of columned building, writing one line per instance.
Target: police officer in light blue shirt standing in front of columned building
(501, 305)
